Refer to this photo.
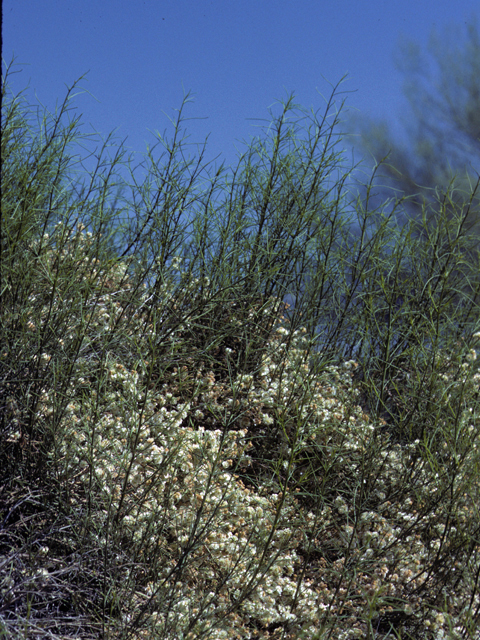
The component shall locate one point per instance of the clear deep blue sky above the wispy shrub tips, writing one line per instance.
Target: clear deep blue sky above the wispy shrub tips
(237, 56)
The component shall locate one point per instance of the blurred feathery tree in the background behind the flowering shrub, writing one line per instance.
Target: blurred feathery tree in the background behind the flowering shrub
(442, 128)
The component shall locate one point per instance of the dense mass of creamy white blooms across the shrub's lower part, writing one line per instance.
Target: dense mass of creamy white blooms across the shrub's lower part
(179, 476)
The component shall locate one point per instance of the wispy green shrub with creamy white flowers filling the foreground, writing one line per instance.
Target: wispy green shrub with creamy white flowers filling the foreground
(184, 454)
